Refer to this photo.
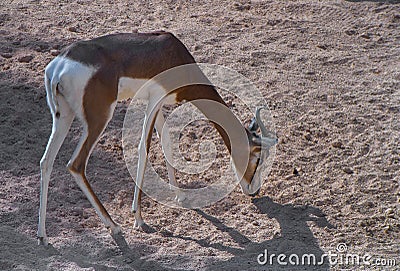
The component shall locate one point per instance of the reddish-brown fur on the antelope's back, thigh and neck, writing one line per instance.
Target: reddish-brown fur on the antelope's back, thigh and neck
(139, 55)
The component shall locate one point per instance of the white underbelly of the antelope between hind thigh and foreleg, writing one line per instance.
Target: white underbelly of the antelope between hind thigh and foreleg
(142, 89)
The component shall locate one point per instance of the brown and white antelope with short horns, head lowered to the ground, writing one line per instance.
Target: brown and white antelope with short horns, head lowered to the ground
(88, 78)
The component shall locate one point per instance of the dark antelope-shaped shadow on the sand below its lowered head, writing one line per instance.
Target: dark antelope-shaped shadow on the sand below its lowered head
(295, 238)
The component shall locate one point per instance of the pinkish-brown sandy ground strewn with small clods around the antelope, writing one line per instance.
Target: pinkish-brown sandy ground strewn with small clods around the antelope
(330, 71)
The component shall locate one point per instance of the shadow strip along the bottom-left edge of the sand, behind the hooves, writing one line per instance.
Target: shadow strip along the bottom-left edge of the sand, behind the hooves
(21, 252)
